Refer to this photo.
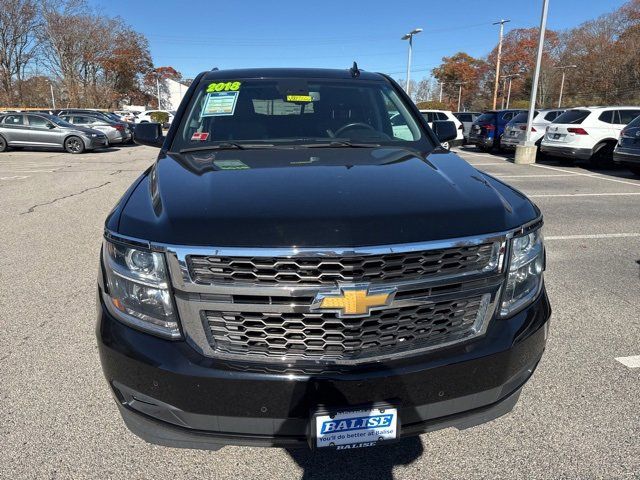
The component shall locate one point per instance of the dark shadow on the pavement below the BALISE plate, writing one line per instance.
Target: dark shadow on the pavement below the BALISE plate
(367, 463)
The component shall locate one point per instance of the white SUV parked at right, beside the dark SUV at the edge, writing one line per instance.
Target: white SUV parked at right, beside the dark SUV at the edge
(588, 133)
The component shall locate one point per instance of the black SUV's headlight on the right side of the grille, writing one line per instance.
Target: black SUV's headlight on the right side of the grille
(524, 278)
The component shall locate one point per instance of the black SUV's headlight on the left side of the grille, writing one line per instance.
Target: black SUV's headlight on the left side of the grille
(138, 289)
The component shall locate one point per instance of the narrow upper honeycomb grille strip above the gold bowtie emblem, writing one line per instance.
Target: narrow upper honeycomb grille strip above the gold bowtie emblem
(310, 270)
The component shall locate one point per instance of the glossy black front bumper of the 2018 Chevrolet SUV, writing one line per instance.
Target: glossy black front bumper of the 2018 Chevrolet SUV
(170, 395)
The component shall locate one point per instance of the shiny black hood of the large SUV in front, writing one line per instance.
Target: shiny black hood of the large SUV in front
(322, 197)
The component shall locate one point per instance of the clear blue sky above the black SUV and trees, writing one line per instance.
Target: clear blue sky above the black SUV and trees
(196, 36)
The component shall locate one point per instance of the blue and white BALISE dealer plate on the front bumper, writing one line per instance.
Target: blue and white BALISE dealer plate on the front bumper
(356, 428)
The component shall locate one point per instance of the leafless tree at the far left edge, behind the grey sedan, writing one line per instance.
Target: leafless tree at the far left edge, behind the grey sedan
(19, 27)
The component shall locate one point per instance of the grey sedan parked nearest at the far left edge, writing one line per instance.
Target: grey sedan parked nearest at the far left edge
(42, 130)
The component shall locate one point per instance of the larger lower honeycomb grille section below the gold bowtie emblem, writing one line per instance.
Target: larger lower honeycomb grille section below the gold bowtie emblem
(324, 336)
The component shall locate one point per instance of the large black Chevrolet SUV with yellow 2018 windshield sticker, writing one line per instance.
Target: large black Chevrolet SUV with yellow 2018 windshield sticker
(297, 269)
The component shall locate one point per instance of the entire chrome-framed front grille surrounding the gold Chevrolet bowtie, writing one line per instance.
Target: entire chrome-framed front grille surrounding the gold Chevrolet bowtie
(260, 306)
